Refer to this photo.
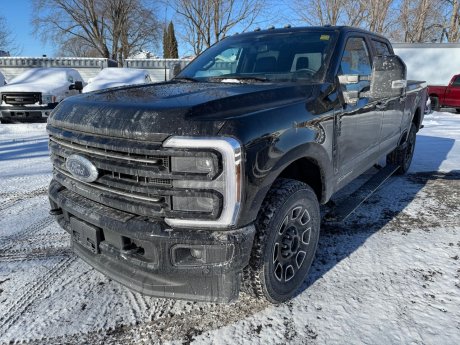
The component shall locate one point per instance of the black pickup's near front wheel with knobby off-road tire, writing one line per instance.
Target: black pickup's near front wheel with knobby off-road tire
(287, 233)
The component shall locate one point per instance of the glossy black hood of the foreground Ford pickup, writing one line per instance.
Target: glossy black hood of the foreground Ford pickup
(156, 111)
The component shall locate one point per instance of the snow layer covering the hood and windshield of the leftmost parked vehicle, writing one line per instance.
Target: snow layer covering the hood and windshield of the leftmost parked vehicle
(40, 80)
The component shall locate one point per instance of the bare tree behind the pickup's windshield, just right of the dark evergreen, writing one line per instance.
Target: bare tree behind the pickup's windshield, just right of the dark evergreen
(205, 22)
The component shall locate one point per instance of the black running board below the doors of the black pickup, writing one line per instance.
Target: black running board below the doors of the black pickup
(341, 212)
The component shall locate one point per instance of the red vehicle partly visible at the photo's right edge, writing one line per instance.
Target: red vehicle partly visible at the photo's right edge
(446, 96)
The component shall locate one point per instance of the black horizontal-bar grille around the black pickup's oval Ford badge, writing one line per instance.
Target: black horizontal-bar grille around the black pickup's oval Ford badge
(134, 176)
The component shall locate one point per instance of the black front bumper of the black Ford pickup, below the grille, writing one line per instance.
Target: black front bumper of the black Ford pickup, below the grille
(150, 257)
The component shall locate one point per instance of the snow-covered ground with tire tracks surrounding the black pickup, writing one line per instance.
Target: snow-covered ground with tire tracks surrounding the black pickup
(389, 275)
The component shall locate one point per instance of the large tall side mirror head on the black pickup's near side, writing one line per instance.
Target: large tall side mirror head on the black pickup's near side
(388, 77)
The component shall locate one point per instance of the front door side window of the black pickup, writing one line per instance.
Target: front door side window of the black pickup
(356, 61)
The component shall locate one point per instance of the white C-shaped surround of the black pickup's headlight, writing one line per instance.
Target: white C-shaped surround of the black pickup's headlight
(228, 182)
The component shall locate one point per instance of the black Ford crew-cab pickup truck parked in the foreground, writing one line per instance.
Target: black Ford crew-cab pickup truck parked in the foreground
(197, 187)
